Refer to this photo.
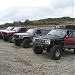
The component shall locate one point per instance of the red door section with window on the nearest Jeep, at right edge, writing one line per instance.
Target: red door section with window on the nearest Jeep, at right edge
(69, 40)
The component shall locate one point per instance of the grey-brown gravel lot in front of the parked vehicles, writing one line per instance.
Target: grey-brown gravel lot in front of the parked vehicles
(20, 61)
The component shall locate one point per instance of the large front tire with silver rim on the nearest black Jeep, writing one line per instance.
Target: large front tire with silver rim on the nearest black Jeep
(55, 52)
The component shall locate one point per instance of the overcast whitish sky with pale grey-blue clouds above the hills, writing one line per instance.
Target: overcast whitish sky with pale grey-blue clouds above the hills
(20, 10)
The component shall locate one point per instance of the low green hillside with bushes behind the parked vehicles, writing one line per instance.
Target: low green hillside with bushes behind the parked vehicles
(42, 22)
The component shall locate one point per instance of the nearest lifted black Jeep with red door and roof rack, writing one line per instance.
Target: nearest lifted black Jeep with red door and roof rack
(55, 42)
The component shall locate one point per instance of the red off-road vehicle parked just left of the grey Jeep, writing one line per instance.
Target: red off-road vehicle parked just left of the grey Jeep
(8, 35)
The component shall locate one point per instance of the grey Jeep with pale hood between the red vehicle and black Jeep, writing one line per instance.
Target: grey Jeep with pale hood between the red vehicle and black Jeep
(25, 39)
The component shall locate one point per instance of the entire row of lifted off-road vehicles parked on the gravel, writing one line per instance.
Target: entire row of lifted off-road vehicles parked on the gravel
(53, 41)
